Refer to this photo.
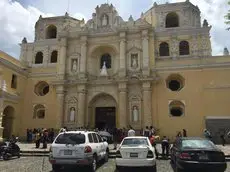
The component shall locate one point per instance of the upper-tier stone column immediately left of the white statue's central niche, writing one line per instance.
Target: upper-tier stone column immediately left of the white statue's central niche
(83, 59)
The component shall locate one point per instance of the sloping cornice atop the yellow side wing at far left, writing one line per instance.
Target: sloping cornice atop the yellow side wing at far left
(18, 69)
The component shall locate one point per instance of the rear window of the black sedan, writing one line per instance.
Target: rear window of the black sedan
(197, 144)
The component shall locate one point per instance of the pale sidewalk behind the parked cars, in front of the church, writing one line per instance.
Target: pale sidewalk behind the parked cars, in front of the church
(30, 148)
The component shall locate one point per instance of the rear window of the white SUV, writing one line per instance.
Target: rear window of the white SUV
(70, 138)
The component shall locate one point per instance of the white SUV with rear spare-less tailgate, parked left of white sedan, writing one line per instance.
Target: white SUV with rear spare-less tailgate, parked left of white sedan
(81, 148)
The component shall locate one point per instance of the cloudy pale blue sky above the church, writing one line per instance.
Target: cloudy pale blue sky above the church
(18, 17)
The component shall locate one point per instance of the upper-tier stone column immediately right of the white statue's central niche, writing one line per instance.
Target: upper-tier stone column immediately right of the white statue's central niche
(122, 64)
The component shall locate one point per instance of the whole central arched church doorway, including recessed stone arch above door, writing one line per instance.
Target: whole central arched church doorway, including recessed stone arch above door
(102, 112)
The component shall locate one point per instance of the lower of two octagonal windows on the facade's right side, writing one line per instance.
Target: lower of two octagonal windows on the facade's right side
(176, 108)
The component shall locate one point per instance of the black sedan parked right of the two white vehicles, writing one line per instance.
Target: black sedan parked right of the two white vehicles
(197, 154)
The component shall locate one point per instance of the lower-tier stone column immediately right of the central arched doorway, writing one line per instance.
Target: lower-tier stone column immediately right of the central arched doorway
(122, 107)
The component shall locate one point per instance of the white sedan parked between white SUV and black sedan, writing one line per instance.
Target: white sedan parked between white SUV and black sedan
(136, 152)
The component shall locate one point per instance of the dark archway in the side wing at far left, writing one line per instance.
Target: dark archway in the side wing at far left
(7, 121)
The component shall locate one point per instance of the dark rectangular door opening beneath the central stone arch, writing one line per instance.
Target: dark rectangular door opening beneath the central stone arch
(105, 118)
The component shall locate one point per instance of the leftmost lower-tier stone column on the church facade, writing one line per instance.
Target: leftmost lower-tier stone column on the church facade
(60, 106)
